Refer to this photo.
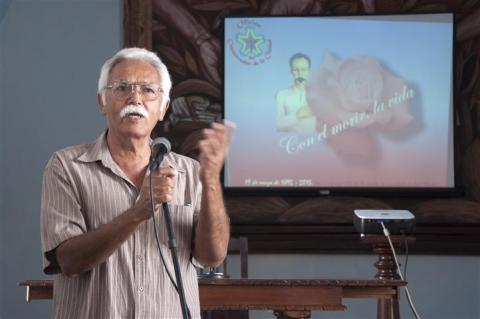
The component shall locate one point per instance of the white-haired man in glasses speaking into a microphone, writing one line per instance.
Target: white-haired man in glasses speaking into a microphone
(98, 232)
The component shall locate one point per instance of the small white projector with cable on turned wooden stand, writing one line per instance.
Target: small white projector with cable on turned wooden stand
(368, 221)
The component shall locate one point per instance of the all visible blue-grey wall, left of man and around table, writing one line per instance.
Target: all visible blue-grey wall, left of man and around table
(50, 55)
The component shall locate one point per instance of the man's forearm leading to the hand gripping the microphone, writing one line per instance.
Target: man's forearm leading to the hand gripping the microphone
(81, 253)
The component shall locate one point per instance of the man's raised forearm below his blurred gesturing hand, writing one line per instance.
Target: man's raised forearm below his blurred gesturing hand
(213, 230)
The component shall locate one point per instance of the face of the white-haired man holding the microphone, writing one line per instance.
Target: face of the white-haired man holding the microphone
(133, 125)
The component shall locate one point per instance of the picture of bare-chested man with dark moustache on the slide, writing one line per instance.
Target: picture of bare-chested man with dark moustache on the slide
(293, 112)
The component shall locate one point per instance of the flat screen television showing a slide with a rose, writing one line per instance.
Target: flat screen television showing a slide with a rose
(325, 103)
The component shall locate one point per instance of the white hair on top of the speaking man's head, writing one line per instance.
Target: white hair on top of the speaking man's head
(134, 54)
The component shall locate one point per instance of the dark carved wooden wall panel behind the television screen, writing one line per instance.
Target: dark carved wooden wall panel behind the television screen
(187, 35)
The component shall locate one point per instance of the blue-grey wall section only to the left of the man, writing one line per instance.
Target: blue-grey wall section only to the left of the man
(51, 53)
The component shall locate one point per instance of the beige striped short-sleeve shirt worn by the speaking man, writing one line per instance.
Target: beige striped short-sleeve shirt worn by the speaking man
(84, 188)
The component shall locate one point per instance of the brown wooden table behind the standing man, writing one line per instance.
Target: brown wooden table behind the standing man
(289, 298)
